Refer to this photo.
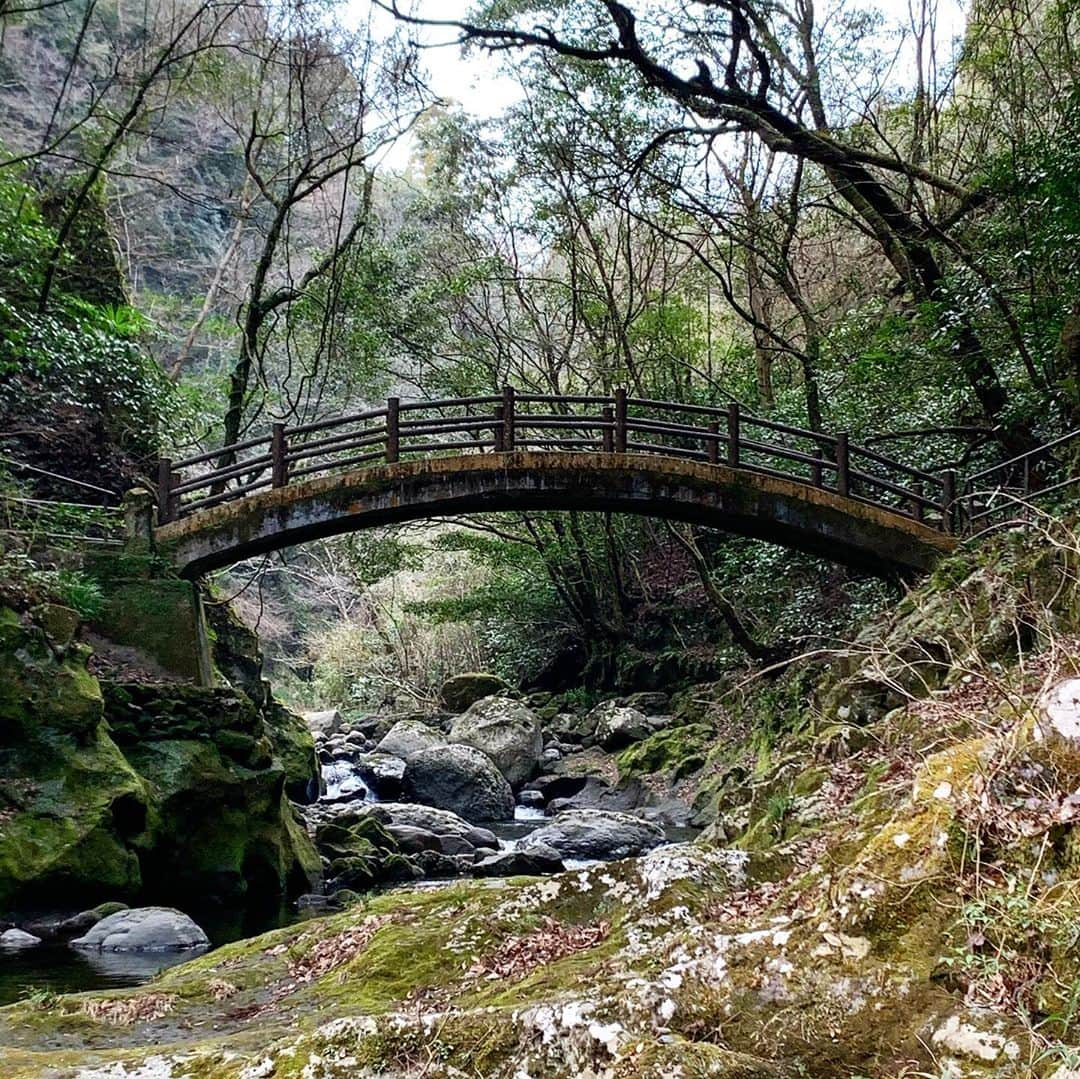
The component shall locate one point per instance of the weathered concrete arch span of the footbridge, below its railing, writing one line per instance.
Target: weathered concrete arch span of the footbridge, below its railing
(737, 501)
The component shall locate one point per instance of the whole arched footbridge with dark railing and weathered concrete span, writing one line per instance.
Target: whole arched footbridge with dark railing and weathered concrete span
(715, 467)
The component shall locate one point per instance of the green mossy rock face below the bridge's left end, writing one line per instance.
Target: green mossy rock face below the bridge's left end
(139, 791)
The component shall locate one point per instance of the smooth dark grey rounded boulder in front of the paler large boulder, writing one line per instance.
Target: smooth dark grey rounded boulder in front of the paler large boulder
(461, 779)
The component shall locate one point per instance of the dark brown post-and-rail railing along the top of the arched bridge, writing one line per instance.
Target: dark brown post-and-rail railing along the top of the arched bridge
(534, 422)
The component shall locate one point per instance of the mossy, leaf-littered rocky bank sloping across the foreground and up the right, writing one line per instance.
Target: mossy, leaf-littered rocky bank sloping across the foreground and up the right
(887, 886)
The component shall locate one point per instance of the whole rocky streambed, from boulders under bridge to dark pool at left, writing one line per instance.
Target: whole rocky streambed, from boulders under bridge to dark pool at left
(493, 790)
